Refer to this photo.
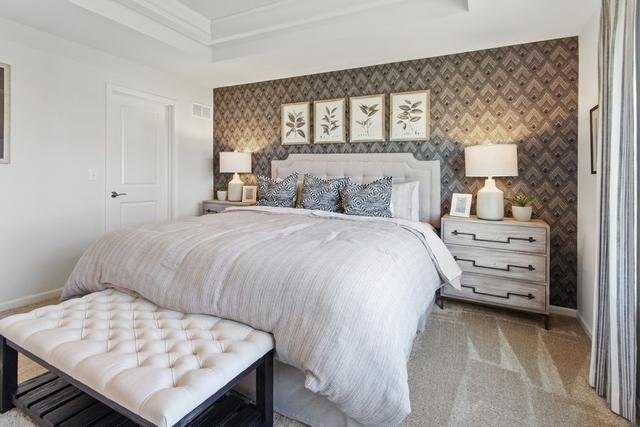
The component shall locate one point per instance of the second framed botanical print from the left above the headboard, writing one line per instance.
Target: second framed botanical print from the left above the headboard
(329, 121)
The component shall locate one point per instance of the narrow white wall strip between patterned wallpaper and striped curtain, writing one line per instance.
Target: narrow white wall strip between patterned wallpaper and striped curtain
(587, 183)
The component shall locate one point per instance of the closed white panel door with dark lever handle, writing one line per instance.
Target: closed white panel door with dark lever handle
(138, 159)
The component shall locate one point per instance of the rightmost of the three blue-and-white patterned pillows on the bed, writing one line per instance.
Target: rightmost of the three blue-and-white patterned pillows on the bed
(373, 199)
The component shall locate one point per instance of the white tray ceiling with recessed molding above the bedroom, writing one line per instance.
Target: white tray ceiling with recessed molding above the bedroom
(221, 42)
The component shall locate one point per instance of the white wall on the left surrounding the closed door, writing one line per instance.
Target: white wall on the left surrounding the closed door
(49, 210)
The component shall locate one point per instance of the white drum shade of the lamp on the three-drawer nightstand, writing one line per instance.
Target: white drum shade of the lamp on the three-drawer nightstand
(491, 160)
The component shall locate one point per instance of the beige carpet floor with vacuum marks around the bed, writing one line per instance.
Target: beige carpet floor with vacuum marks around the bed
(475, 366)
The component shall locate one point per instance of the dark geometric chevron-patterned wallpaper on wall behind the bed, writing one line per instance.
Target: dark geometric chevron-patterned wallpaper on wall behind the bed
(525, 94)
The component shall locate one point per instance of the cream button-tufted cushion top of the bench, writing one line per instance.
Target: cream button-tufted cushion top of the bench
(157, 363)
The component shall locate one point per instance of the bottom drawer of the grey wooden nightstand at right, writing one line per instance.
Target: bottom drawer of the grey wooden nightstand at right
(495, 291)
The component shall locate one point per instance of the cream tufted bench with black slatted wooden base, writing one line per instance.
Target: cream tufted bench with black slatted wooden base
(154, 366)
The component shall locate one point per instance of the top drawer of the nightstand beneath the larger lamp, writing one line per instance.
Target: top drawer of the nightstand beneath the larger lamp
(487, 234)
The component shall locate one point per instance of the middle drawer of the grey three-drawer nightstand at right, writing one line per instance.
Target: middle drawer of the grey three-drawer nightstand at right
(499, 263)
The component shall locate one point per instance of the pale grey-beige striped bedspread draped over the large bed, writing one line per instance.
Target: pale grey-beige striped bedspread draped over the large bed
(342, 295)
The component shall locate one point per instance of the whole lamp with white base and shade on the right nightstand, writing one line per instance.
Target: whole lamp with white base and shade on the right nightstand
(491, 160)
